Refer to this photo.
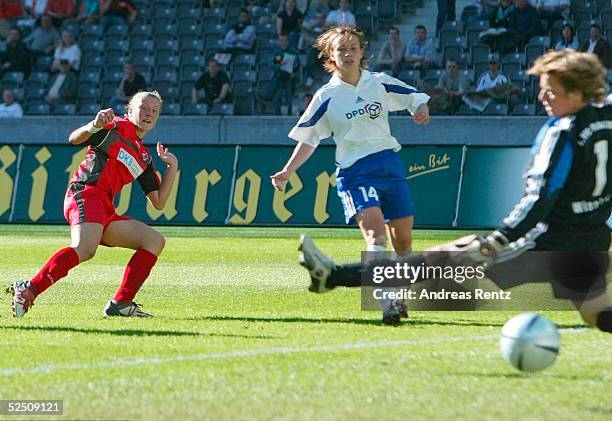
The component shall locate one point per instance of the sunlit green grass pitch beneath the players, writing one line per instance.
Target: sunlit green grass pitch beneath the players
(236, 335)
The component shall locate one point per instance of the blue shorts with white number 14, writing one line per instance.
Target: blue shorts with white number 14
(375, 180)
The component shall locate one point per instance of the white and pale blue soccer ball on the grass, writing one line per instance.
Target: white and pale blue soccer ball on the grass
(530, 342)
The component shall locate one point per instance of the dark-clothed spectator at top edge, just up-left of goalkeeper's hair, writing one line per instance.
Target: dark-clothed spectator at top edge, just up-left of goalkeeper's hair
(524, 24)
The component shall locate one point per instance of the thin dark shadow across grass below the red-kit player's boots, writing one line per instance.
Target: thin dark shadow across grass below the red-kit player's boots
(131, 332)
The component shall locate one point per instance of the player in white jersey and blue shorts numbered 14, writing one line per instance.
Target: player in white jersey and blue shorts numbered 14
(353, 107)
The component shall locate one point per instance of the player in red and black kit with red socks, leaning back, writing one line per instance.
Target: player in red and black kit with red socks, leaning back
(115, 157)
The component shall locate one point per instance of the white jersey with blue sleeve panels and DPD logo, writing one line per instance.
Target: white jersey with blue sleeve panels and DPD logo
(356, 116)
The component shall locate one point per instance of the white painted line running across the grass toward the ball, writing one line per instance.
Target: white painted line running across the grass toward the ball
(247, 353)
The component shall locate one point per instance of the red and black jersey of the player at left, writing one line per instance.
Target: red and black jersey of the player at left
(115, 157)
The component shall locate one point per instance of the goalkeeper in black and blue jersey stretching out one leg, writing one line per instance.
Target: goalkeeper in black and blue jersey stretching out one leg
(565, 205)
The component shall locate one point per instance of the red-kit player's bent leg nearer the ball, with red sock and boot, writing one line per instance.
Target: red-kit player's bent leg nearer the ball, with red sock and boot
(148, 244)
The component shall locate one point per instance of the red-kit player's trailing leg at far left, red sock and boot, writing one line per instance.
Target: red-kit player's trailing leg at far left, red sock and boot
(85, 239)
